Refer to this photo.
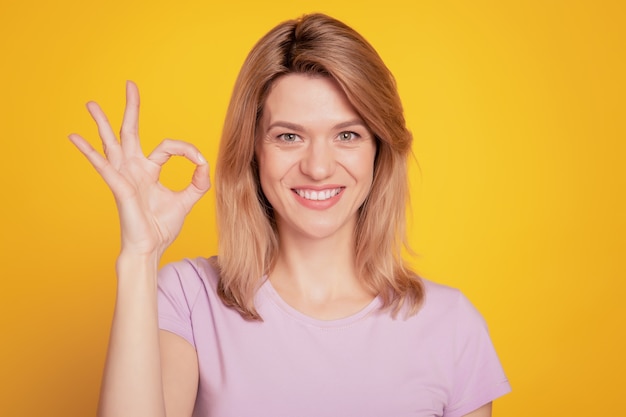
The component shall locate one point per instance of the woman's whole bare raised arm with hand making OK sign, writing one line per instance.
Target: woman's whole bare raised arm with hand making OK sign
(140, 374)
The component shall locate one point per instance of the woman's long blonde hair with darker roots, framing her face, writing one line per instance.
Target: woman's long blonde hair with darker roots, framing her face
(248, 240)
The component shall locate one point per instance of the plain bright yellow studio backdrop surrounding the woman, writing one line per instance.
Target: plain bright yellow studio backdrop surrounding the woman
(517, 108)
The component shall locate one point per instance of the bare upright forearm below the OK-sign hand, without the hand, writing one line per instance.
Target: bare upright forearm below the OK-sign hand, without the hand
(132, 383)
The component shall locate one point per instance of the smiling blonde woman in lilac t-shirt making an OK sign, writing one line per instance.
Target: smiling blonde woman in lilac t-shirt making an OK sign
(308, 308)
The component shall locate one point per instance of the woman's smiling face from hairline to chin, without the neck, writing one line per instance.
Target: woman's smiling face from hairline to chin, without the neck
(315, 155)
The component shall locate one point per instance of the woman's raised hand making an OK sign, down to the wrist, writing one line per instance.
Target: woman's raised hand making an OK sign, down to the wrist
(151, 215)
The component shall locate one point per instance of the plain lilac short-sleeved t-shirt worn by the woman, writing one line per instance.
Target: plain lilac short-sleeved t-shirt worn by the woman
(440, 362)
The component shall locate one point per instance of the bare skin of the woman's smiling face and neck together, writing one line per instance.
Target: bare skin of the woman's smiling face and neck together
(315, 141)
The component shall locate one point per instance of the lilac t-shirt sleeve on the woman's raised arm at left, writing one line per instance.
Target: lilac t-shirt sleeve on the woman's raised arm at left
(175, 297)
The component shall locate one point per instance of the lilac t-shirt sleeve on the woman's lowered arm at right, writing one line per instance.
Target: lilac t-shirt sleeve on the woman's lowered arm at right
(478, 375)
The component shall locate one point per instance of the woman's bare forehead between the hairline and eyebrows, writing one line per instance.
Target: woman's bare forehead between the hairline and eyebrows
(307, 99)
